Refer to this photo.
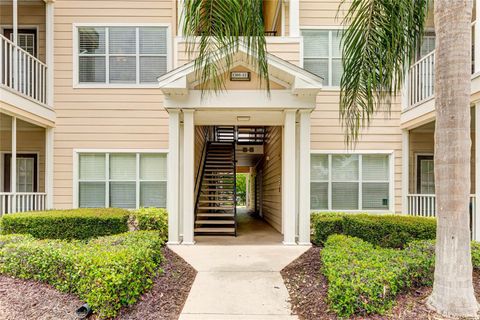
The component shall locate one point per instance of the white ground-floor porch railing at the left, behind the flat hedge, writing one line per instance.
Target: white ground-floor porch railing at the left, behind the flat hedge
(22, 201)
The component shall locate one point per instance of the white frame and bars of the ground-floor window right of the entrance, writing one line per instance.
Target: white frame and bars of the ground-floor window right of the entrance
(391, 163)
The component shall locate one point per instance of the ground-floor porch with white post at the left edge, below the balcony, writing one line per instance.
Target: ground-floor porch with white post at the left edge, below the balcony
(26, 164)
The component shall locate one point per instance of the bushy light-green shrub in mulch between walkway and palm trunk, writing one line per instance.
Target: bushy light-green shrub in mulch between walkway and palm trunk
(364, 279)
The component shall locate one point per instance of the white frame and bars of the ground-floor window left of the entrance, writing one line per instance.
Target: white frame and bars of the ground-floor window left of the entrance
(107, 180)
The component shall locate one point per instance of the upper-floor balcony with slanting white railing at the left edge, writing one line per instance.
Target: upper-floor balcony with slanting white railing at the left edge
(26, 57)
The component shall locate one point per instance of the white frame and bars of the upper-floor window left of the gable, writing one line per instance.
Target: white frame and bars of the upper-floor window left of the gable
(75, 55)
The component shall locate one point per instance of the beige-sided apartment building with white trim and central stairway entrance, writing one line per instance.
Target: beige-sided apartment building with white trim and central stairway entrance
(100, 106)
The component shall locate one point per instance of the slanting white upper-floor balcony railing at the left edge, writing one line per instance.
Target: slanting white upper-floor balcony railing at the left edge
(22, 72)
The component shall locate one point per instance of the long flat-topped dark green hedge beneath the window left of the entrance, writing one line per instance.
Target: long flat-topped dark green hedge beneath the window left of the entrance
(67, 224)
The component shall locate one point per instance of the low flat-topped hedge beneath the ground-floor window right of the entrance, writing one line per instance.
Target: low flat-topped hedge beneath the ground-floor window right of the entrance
(390, 231)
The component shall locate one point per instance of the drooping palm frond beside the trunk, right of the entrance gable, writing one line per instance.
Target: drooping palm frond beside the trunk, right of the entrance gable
(378, 45)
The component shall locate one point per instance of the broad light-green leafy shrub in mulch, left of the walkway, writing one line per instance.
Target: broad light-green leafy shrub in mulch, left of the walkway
(107, 273)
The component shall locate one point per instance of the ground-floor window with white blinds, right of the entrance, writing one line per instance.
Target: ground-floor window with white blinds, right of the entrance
(350, 182)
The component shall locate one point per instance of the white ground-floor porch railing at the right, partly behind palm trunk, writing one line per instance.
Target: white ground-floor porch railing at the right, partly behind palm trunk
(424, 205)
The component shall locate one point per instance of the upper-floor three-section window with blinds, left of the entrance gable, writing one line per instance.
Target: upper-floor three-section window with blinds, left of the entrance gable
(121, 55)
